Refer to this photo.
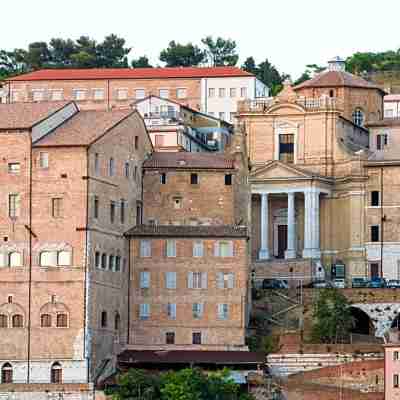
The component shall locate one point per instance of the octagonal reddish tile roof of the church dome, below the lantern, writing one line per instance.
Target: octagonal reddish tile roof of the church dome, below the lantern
(337, 79)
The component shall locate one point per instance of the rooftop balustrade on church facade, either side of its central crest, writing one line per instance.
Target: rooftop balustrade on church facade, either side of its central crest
(310, 104)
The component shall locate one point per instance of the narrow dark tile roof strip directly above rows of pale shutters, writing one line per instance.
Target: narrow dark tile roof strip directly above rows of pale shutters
(188, 231)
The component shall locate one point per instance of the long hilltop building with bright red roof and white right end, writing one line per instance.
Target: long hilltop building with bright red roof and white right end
(214, 90)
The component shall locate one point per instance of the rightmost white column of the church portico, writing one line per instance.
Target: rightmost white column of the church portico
(311, 224)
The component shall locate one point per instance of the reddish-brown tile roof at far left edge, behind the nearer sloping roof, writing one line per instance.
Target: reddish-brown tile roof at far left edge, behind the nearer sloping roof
(26, 115)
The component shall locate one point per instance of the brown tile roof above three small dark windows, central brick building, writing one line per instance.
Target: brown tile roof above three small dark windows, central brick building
(187, 160)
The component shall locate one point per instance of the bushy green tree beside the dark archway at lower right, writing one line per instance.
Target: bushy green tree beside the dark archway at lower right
(332, 320)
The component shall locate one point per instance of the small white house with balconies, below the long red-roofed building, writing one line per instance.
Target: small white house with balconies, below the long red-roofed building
(174, 127)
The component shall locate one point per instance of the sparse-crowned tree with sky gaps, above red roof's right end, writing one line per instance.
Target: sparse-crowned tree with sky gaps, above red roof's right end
(221, 51)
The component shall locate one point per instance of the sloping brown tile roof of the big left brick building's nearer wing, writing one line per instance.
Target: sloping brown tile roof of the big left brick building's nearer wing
(84, 128)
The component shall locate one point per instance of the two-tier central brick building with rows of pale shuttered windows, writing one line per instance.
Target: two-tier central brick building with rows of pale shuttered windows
(189, 261)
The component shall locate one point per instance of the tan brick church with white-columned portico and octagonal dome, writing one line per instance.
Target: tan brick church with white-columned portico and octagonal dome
(311, 165)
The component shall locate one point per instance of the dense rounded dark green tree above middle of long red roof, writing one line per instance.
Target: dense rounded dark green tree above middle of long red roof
(182, 55)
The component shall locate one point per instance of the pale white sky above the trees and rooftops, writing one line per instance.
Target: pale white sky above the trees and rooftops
(290, 33)
